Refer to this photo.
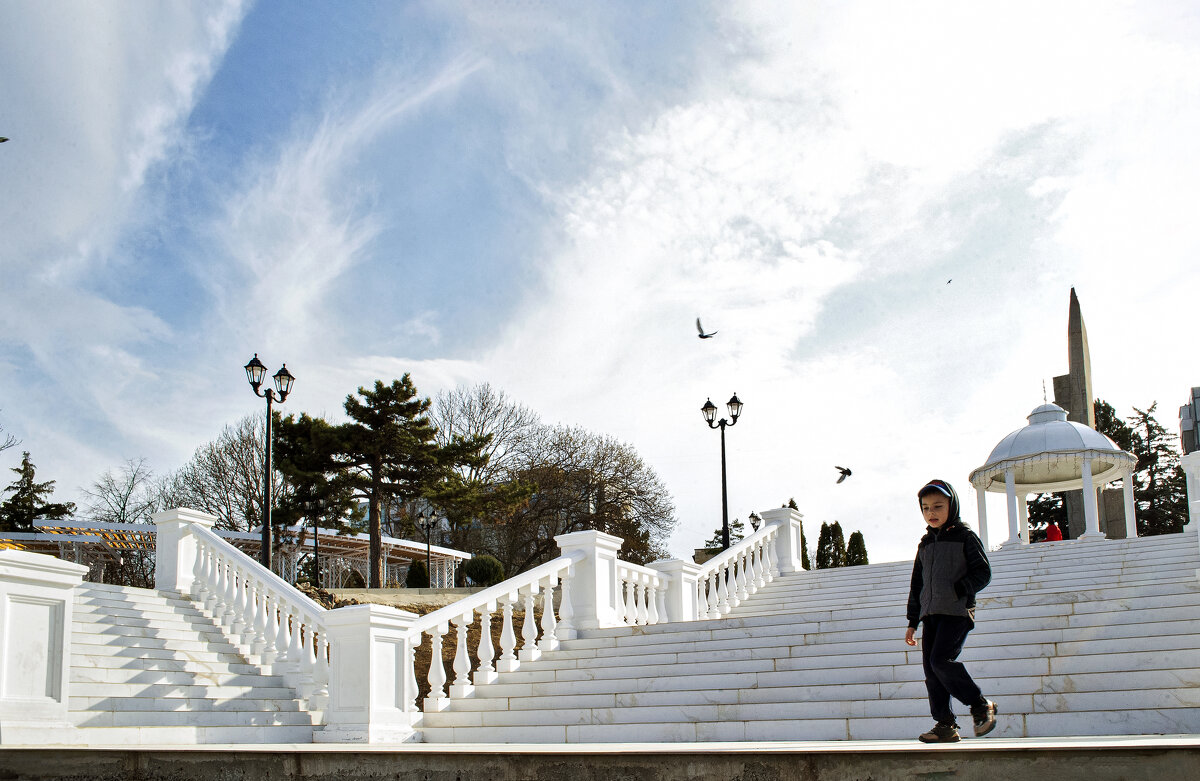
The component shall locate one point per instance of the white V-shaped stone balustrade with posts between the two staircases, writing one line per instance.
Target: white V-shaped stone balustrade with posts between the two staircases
(358, 665)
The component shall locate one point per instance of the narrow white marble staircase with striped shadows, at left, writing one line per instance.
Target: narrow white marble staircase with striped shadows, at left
(149, 668)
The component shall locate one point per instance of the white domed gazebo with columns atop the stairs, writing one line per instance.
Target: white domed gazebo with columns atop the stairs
(1053, 454)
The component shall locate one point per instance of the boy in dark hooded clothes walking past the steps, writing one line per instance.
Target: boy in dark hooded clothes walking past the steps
(951, 569)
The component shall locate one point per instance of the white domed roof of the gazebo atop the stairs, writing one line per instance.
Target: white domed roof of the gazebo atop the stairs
(1047, 454)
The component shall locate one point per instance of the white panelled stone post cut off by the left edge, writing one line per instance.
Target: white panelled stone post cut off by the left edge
(37, 608)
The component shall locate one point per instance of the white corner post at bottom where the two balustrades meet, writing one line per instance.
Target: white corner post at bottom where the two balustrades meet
(373, 688)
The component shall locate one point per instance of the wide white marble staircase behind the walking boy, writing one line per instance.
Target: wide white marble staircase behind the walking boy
(1075, 639)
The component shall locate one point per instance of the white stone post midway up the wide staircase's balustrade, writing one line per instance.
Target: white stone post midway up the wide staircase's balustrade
(593, 588)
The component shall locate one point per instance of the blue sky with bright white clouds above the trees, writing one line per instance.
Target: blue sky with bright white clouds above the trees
(545, 196)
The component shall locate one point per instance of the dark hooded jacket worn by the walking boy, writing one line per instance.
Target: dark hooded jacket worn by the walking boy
(951, 569)
